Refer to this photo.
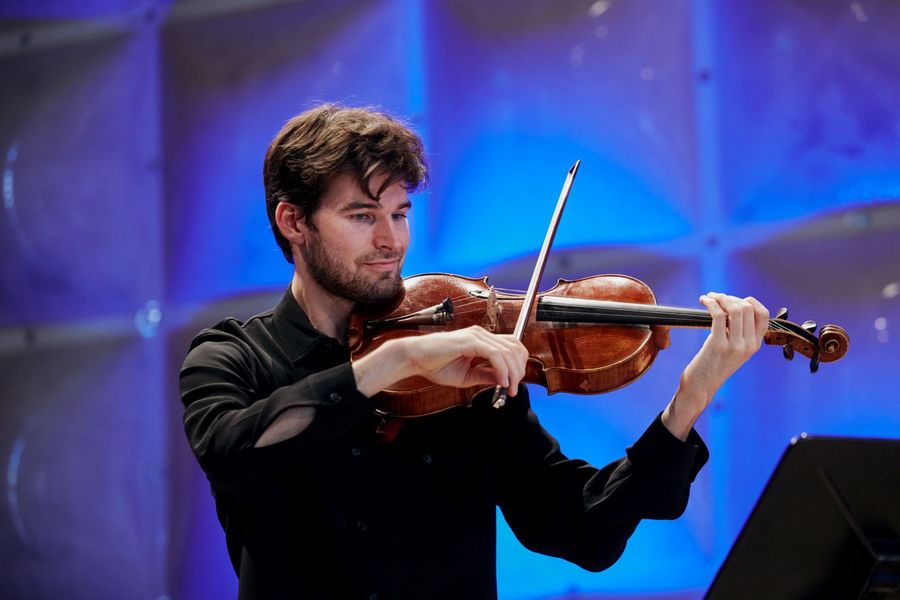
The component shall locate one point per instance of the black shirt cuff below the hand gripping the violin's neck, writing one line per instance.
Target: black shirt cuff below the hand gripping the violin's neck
(662, 455)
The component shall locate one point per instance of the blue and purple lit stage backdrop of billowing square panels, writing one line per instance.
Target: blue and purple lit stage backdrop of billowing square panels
(749, 147)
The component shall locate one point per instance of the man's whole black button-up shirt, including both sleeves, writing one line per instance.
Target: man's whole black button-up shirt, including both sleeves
(337, 512)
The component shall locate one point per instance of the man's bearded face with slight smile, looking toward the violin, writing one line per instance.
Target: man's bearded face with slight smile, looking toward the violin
(357, 245)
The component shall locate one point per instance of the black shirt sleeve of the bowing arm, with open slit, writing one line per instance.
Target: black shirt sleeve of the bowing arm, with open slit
(230, 399)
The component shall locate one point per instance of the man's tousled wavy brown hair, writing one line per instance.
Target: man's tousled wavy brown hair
(321, 143)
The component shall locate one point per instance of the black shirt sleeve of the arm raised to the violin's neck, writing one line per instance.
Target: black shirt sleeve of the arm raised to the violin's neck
(567, 508)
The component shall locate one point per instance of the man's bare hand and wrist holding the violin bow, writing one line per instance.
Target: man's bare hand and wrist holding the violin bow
(461, 358)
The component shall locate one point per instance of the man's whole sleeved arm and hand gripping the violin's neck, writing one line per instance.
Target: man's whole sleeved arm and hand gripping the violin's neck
(569, 509)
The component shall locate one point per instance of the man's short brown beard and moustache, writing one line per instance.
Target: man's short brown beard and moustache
(336, 279)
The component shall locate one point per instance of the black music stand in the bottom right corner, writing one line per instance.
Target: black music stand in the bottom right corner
(827, 526)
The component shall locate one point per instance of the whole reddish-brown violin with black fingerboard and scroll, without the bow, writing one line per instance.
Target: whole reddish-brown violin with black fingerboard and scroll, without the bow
(586, 336)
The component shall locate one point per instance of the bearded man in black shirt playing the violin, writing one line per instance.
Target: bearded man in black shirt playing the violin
(314, 500)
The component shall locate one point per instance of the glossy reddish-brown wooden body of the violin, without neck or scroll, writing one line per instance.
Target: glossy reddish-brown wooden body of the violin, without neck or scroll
(575, 357)
